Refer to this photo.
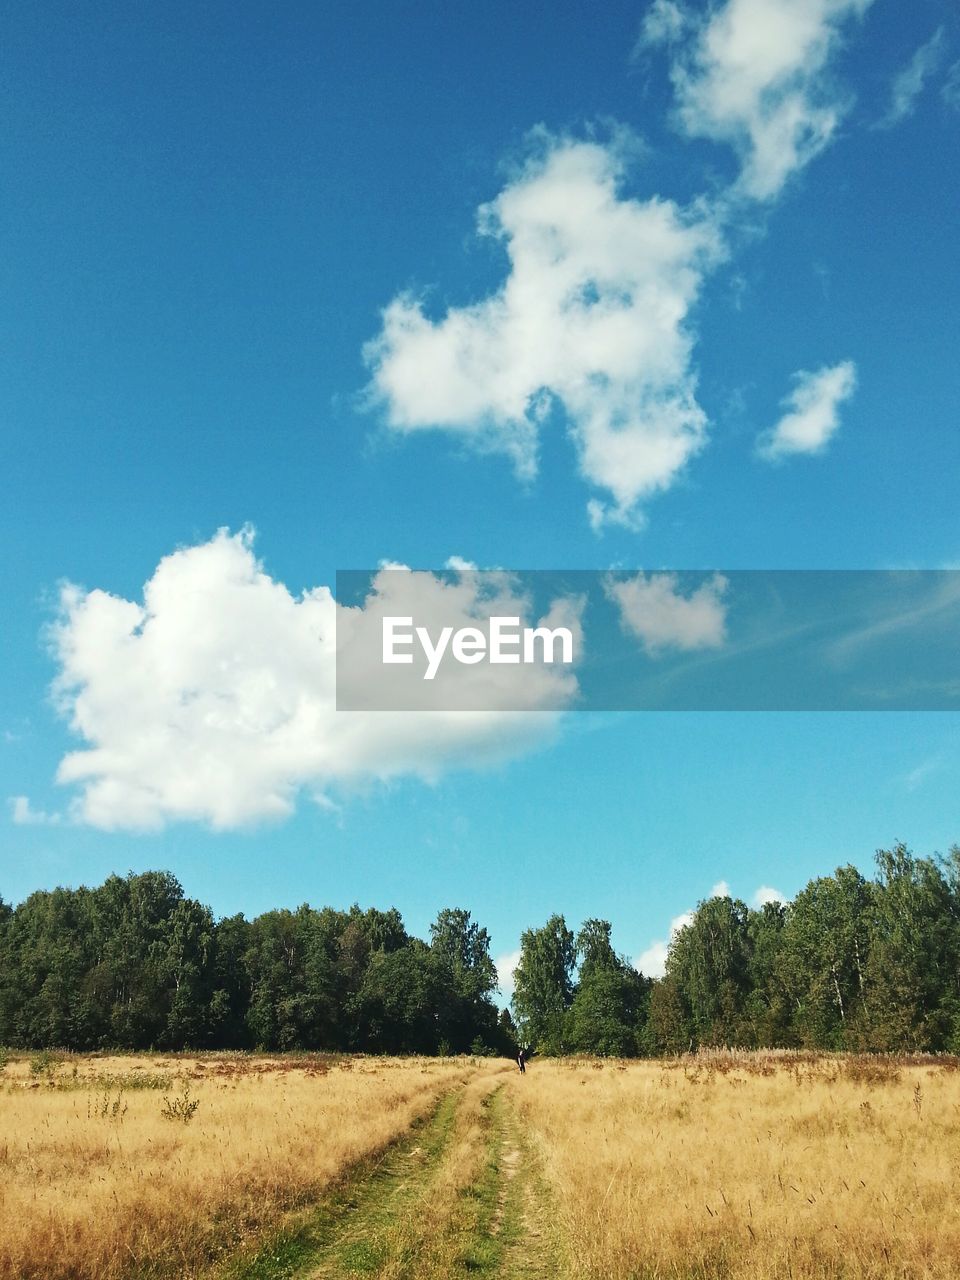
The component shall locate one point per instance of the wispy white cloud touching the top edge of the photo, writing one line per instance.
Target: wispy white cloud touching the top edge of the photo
(756, 76)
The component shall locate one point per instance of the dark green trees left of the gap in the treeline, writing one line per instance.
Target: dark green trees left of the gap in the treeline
(136, 964)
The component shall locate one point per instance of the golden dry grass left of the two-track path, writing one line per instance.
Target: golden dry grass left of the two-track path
(95, 1183)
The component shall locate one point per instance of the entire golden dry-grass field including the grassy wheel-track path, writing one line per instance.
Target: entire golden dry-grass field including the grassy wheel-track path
(765, 1165)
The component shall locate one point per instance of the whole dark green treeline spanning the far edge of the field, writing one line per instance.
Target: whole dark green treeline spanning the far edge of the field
(851, 964)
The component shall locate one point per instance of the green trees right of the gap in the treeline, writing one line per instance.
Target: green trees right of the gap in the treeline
(851, 964)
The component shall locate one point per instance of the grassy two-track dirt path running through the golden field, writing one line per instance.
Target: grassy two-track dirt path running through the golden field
(461, 1197)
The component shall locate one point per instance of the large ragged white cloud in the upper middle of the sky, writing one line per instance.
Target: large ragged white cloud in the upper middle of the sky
(593, 316)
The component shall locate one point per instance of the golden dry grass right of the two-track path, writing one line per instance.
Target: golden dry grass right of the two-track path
(760, 1167)
